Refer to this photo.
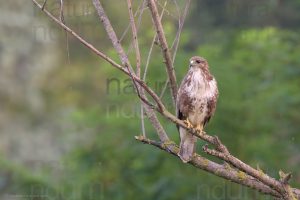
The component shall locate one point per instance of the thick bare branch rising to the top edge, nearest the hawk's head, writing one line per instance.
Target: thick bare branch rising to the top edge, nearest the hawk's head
(164, 47)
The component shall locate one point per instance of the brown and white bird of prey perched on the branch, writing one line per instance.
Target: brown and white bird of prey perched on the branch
(196, 103)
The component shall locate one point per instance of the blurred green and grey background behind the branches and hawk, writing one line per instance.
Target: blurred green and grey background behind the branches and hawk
(68, 119)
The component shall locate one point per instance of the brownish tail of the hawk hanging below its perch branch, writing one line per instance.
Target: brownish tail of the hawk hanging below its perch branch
(187, 145)
